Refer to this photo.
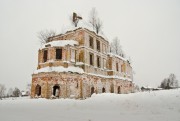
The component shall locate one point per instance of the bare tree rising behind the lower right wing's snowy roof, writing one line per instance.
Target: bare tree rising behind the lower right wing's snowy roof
(116, 47)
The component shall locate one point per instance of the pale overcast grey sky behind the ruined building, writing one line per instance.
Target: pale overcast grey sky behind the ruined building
(149, 31)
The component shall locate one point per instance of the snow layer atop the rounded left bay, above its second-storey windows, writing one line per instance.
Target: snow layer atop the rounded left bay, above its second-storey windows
(60, 43)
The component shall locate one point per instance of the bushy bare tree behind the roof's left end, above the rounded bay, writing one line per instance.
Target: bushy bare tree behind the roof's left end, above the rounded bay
(44, 35)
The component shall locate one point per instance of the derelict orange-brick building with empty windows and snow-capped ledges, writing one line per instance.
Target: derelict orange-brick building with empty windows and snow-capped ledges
(77, 64)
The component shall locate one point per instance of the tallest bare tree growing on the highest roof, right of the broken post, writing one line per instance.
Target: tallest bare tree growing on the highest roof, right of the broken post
(95, 21)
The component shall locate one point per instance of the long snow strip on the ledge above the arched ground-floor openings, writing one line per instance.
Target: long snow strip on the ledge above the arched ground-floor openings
(60, 69)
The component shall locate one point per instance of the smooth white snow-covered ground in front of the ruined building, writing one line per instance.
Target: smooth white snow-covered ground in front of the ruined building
(161, 105)
